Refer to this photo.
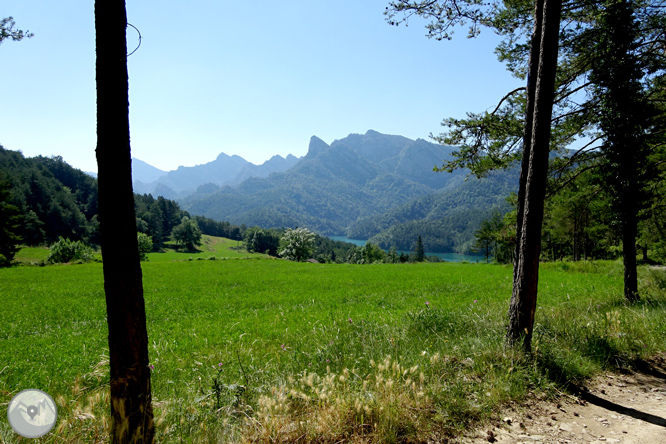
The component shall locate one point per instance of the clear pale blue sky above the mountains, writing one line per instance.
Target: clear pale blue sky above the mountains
(254, 79)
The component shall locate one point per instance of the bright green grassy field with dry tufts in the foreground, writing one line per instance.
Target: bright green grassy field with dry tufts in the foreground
(245, 349)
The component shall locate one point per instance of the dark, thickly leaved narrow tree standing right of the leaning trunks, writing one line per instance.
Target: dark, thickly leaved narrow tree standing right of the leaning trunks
(625, 120)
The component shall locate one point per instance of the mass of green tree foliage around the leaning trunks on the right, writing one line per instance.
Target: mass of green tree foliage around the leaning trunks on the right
(610, 80)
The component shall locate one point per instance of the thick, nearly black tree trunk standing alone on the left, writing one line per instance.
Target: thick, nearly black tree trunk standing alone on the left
(131, 410)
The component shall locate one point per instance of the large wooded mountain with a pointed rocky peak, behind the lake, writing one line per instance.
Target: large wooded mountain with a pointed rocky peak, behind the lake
(369, 179)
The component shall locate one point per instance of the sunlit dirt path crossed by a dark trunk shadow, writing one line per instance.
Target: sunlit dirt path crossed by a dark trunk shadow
(615, 409)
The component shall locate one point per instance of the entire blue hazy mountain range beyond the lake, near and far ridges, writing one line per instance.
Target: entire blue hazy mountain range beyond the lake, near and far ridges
(364, 186)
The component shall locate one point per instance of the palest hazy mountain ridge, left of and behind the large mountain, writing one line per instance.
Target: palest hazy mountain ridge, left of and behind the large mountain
(224, 170)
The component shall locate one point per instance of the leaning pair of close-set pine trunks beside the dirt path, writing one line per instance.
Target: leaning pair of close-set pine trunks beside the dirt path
(543, 54)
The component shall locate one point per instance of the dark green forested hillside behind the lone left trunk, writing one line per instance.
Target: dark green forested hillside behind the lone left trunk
(56, 200)
